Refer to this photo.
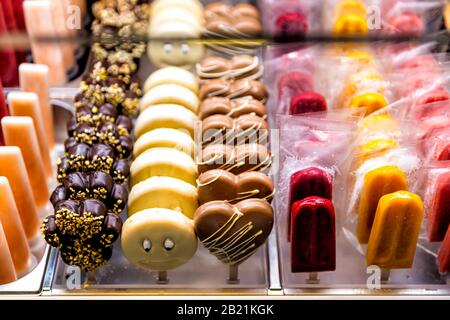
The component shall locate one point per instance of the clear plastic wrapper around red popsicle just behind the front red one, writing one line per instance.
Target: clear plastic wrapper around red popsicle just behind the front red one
(319, 143)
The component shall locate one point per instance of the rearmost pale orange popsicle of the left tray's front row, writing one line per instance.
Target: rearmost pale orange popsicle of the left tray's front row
(34, 78)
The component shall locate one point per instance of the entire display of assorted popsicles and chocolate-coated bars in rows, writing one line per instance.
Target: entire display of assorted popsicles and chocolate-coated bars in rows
(241, 127)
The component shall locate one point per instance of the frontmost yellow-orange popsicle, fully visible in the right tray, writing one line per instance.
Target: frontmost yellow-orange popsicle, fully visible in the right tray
(395, 231)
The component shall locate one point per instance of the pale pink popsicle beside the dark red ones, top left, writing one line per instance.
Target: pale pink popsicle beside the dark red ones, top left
(39, 23)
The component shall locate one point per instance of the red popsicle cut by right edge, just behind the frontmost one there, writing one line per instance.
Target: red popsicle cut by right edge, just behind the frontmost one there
(439, 214)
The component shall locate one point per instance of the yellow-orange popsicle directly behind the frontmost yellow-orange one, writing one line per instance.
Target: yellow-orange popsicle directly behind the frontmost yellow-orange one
(377, 183)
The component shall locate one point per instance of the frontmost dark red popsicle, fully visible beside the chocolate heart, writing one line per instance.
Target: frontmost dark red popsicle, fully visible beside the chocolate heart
(313, 247)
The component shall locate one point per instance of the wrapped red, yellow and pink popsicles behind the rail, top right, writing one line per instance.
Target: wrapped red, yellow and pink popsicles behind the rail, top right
(291, 18)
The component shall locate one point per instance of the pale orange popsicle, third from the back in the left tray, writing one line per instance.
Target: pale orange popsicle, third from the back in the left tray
(20, 132)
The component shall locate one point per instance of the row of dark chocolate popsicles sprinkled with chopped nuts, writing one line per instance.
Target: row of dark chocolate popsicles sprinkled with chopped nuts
(94, 171)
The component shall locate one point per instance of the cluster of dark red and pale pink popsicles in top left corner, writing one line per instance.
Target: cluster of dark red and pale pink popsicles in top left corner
(41, 18)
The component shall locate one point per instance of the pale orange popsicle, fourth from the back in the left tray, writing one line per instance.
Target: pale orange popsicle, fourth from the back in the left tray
(13, 168)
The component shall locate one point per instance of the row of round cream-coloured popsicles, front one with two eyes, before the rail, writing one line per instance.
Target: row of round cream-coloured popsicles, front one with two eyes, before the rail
(159, 233)
